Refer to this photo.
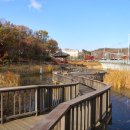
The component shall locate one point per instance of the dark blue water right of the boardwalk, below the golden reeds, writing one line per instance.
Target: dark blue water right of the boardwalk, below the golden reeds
(120, 110)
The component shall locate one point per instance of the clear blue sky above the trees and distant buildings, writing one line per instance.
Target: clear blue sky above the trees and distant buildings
(76, 24)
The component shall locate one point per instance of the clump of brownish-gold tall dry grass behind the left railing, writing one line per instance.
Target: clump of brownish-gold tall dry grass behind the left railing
(9, 79)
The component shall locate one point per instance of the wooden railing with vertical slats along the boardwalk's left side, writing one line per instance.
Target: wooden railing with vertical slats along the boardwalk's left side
(16, 102)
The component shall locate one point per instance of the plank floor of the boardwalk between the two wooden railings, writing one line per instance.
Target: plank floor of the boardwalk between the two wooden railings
(29, 122)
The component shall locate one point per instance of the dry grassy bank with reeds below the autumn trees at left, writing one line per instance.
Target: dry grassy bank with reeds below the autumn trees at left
(10, 75)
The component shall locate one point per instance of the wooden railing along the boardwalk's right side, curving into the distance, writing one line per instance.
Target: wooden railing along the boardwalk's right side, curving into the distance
(81, 113)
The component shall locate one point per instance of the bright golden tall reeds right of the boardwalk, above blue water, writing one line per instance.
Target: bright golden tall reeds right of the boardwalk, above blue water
(118, 78)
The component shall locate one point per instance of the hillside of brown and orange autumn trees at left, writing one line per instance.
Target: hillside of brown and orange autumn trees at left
(18, 42)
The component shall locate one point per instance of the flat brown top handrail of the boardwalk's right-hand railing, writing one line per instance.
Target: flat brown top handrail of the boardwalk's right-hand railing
(53, 117)
